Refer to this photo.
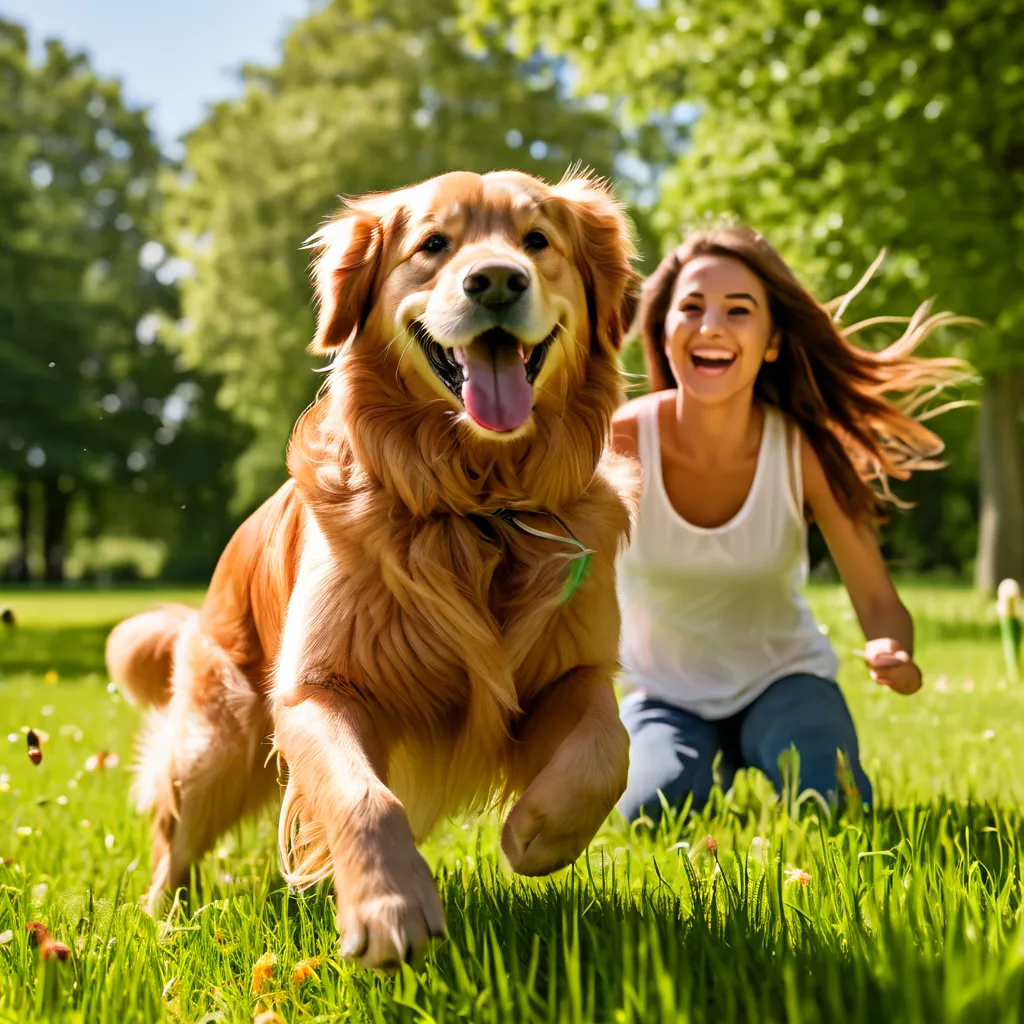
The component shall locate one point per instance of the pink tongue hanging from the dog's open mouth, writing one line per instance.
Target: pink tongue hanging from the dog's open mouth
(496, 392)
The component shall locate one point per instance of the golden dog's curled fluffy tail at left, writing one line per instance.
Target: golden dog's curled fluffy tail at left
(140, 654)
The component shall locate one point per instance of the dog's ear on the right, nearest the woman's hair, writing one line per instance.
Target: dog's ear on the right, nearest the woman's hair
(603, 237)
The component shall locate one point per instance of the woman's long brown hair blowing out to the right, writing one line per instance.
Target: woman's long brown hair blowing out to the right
(862, 411)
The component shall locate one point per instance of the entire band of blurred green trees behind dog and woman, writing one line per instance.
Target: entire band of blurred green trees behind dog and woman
(154, 316)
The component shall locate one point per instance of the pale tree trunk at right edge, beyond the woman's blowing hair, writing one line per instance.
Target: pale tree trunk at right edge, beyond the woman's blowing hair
(1001, 533)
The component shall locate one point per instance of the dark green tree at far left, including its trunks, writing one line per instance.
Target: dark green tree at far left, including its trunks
(86, 382)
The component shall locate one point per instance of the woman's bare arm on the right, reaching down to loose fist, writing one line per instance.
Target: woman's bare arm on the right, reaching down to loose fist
(887, 625)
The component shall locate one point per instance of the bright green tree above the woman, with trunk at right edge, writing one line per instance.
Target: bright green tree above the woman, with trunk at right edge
(838, 132)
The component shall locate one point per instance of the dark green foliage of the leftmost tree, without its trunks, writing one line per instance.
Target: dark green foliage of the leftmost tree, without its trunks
(83, 173)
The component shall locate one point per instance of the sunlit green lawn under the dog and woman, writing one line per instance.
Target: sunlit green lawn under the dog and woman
(915, 915)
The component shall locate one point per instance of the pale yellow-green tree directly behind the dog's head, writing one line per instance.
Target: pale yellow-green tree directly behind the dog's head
(366, 98)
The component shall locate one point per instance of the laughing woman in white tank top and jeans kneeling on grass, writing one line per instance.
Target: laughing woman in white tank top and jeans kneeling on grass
(764, 417)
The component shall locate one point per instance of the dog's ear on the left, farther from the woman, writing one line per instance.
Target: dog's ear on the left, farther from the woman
(349, 258)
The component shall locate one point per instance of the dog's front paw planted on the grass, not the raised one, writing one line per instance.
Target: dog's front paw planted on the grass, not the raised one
(390, 915)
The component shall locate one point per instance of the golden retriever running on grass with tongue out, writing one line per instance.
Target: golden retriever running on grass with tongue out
(397, 623)
